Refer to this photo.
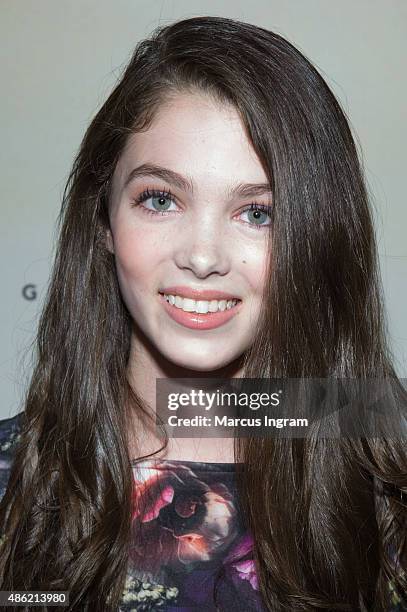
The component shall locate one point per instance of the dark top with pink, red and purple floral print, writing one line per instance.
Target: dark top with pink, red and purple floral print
(189, 541)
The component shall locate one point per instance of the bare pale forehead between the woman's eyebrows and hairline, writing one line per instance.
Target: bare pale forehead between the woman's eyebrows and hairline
(194, 135)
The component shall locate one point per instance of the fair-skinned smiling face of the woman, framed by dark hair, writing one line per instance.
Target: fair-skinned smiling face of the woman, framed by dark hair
(194, 231)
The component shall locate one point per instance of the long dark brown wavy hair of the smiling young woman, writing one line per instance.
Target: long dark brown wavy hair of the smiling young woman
(324, 513)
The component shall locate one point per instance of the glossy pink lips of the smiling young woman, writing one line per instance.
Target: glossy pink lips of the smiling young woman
(195, 320)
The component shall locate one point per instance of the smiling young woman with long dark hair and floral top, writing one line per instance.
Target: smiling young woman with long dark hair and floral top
(219, 176)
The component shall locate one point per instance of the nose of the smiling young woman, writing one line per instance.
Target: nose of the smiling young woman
(203, 248)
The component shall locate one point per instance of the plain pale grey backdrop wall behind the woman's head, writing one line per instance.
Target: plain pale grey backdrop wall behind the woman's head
(60, 59)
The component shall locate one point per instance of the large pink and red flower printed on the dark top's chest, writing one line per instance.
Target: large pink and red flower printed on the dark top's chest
(189, 519)
